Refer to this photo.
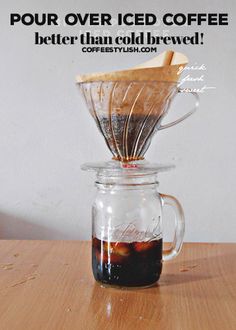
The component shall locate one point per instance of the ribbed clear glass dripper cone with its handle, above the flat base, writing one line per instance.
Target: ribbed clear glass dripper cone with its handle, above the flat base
(129, 113)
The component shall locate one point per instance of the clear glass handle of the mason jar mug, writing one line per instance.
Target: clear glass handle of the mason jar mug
(179, 226)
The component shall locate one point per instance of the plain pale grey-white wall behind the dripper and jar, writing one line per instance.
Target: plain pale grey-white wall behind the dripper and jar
(46, 132)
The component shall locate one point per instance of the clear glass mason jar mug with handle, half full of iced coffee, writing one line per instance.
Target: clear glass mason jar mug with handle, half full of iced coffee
(127, 234)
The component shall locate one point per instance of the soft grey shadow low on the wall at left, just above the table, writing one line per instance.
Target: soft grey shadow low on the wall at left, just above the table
(12, 227)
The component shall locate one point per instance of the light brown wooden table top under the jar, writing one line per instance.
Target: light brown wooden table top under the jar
(49, 285)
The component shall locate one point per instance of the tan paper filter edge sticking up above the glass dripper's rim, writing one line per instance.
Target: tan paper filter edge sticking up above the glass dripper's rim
(164, 67)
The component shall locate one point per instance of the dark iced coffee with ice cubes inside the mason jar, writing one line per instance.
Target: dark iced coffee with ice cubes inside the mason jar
(127, 264)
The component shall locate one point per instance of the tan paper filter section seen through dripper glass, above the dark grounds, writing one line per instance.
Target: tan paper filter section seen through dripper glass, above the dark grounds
(125, 97)
